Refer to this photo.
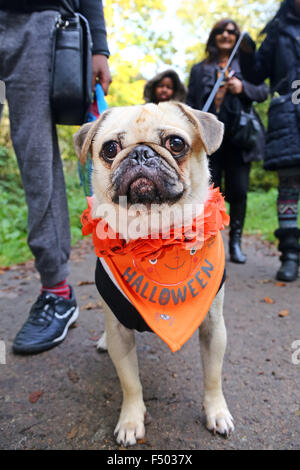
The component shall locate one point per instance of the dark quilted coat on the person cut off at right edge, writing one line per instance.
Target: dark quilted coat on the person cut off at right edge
(278, 58)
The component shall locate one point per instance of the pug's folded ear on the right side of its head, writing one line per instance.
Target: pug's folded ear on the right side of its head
(210, 129)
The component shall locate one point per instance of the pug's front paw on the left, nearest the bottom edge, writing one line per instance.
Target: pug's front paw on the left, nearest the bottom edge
(130, 427)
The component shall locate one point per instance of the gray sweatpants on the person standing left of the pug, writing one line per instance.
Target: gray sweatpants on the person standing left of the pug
(25, 58)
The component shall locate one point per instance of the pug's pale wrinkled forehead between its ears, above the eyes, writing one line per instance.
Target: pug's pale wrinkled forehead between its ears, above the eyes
(143, 123)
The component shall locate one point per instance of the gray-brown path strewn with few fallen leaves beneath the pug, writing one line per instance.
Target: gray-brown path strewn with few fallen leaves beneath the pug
(69, 397)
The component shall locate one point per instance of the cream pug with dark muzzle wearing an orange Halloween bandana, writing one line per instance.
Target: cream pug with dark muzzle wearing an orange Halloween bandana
(153, 154)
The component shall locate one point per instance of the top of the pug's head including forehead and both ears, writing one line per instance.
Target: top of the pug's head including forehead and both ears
(150, 123)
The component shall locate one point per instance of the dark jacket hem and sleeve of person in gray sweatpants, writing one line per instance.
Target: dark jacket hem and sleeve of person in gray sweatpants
(92, 10)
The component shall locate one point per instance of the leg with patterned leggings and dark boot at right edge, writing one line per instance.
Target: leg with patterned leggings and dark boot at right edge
(288, 232)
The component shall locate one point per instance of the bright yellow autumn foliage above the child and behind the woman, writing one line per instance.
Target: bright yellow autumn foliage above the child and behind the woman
(141, 37)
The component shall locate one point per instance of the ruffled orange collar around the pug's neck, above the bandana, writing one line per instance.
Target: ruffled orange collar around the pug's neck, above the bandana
(205, 226)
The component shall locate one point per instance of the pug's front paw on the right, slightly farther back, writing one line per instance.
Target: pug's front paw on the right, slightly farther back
(218, 418)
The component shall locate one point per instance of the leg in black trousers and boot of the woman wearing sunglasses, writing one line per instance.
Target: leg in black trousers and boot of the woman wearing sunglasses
(236, 188)
